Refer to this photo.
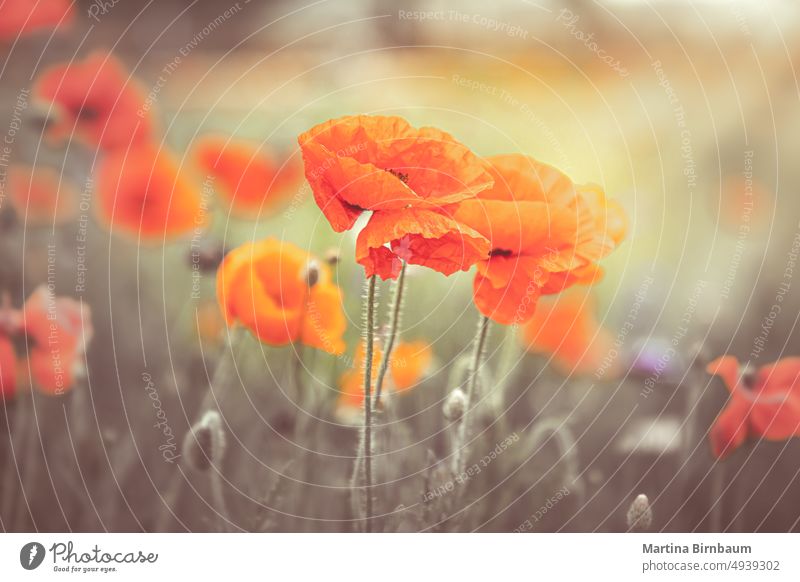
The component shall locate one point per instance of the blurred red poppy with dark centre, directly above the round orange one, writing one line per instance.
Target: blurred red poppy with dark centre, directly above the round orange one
(98, 101)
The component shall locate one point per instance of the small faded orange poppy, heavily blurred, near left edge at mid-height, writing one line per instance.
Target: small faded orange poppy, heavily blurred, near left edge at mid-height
(41, 196)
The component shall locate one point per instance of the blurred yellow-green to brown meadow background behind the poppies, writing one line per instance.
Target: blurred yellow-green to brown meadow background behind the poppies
(684, 111)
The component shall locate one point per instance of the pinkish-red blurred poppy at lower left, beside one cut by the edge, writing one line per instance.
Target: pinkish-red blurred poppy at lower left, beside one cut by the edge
(57, 330)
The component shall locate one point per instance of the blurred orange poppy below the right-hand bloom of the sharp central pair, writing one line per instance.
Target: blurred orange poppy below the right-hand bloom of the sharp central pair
(565, 328)
